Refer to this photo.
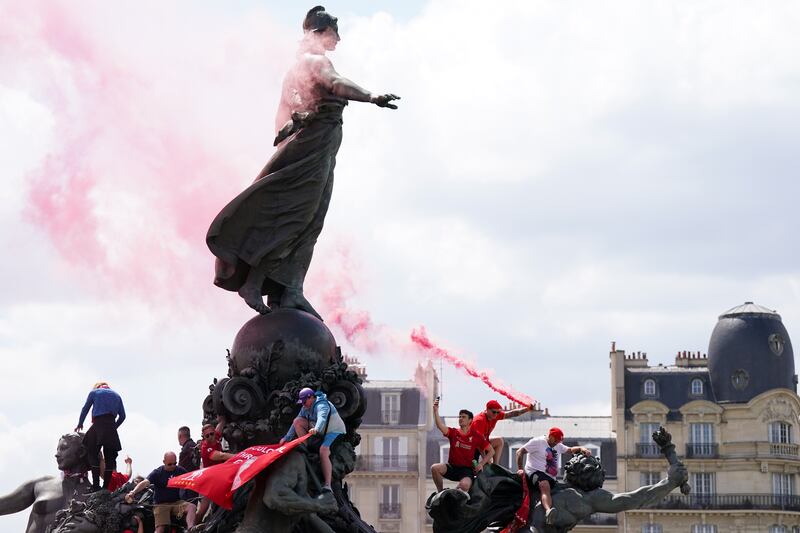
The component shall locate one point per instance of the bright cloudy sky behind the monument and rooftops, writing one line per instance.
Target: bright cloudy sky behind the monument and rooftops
(559, 175)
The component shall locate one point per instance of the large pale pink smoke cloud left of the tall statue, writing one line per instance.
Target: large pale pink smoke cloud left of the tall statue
(151, 136)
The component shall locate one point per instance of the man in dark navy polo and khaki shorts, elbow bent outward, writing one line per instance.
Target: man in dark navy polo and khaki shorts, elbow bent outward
(167, 501)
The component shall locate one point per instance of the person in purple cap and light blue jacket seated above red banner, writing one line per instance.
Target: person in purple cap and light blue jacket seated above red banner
(317, 416)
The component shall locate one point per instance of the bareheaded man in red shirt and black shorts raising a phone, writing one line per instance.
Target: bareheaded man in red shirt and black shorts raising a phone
(465, 442)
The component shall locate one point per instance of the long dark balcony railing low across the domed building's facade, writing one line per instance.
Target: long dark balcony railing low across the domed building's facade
(782, 502)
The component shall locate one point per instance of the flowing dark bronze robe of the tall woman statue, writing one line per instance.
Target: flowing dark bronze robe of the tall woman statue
(278, 218)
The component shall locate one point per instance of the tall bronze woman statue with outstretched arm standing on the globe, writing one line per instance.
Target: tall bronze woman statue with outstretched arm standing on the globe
(264, 238)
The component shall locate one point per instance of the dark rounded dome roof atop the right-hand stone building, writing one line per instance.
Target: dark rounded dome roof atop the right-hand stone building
(749, 353)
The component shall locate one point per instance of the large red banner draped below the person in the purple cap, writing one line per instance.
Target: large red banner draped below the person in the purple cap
(219, 482)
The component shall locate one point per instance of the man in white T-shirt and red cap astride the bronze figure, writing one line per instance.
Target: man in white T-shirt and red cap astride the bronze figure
(542, 463)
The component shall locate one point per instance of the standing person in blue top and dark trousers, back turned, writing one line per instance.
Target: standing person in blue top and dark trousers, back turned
(108, 413)
